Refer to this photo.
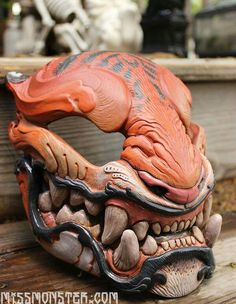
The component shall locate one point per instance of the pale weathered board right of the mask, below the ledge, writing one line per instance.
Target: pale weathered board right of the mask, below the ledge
(214, 108)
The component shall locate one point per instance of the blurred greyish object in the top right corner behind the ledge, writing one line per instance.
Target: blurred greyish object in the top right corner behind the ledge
(215, 31)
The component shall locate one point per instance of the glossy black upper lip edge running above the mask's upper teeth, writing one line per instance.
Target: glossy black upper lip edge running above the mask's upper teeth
(110, 192)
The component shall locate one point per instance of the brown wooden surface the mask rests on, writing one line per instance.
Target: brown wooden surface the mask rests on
(27, 267)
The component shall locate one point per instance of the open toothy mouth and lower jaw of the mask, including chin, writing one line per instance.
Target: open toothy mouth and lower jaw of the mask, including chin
(104, 240)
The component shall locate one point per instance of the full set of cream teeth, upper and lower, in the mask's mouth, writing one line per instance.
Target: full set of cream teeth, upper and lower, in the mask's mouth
(81, 211)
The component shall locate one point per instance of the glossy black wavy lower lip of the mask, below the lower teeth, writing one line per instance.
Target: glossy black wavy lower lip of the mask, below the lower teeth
(148, 274)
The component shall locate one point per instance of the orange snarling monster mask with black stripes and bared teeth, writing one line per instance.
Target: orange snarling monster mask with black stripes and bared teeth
(143, 221)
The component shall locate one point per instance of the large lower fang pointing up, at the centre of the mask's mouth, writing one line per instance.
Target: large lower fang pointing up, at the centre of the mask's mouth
(126, 255)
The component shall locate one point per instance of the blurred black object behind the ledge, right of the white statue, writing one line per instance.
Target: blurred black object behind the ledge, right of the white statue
(164, 25)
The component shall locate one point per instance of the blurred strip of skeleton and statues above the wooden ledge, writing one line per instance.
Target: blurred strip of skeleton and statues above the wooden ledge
(202, 28)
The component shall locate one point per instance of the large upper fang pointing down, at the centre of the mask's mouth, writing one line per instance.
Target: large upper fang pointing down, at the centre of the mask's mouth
(115, 222)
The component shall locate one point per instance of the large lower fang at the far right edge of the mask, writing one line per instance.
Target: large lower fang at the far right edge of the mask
(212, 229)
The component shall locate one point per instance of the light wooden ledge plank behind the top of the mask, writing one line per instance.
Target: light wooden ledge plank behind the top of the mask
(186, 69)
